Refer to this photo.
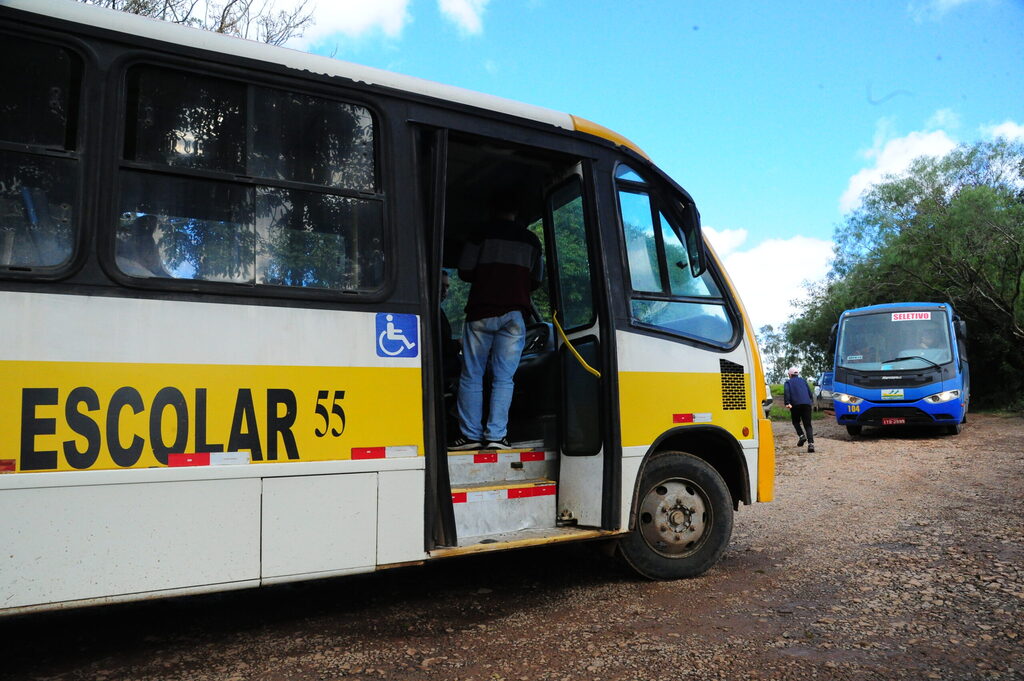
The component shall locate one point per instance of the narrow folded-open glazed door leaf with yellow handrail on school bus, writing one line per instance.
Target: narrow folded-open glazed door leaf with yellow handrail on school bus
(577, 320)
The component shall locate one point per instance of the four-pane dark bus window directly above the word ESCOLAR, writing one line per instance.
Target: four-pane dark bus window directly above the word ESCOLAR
(309, 215)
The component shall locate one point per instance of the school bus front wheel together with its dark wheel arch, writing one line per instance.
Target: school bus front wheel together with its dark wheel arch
(684, 504)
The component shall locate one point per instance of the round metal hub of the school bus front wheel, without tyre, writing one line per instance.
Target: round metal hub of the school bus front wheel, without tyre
(674, 518)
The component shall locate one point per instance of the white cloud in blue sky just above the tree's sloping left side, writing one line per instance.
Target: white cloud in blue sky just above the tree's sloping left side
(893, 157)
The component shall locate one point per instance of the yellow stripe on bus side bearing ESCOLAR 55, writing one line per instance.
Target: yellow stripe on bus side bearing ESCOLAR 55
(73, 416)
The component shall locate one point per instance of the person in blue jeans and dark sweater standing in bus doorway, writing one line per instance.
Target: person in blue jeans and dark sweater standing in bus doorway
(503, 263)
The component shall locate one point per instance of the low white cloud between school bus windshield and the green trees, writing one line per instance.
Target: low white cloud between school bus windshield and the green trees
(771, 275)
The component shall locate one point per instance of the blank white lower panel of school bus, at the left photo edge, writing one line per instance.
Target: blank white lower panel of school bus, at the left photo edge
(67, 544)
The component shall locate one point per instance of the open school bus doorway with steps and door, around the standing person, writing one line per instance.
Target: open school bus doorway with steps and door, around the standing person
(551, 484)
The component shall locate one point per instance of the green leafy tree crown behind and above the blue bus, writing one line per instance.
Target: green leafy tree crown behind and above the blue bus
(952, 230)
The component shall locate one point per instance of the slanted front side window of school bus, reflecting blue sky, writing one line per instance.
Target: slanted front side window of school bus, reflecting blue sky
(666, 295)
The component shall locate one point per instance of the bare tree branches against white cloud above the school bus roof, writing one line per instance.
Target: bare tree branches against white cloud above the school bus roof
(254, 20)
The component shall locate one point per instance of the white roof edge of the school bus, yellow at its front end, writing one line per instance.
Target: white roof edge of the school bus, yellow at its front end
(78, 13)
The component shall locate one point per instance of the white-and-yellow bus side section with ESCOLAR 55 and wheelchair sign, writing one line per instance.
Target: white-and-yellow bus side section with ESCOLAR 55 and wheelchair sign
(108, 384)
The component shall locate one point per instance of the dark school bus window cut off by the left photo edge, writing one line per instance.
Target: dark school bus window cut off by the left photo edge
(39, 184)
